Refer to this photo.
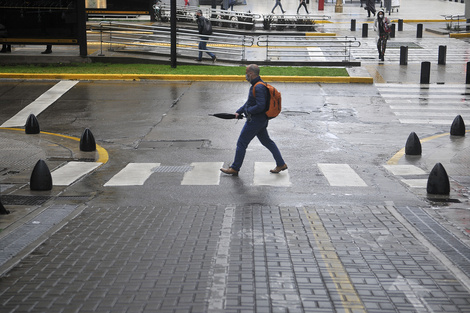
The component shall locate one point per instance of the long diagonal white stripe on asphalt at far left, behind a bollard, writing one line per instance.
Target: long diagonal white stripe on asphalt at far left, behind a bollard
(40, 104)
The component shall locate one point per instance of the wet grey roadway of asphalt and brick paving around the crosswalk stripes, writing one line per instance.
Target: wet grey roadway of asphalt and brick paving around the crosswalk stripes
(236, 246)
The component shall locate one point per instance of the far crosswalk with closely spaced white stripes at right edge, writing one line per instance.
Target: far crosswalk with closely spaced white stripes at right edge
(433, 104)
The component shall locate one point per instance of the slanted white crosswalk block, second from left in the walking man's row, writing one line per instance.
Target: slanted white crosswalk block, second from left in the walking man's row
(134, 174)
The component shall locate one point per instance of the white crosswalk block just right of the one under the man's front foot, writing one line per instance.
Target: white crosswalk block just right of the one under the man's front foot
(341, 175)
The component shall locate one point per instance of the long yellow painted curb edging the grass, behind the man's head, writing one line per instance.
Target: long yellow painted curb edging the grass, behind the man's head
(170, 77)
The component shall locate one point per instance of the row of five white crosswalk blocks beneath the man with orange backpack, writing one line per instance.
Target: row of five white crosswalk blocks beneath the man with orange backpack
(202, 174)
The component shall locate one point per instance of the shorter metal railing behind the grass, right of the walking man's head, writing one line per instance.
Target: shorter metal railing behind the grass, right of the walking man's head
(295, 47)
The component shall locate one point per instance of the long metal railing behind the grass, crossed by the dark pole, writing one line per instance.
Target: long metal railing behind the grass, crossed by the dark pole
(128, 37)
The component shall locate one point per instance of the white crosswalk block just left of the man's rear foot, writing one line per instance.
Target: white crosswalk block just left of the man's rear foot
(203, 173)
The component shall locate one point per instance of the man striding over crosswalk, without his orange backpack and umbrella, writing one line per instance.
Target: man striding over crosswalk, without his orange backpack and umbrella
(256, 124)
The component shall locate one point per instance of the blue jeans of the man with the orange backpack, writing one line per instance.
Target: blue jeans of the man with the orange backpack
(249, 131)
